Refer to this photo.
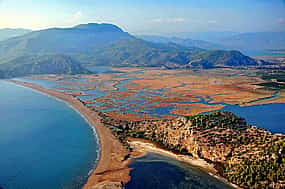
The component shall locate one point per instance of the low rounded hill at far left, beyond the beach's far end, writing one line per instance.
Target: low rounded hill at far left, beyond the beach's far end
(46, 64)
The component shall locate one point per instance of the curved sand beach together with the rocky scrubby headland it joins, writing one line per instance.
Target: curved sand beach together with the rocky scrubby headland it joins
(220, 143)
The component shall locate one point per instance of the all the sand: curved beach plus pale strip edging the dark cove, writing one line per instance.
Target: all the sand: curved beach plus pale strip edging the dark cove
(112, 169)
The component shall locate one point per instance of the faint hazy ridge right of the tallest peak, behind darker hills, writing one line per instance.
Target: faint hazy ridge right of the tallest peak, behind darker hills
(181, 41)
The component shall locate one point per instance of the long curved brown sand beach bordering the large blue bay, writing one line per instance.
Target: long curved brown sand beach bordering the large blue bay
(111, 169)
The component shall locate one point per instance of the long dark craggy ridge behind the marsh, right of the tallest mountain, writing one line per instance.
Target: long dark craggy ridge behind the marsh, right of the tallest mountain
(140, 53)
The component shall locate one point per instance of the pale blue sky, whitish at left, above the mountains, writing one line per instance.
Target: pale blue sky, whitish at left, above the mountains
(147, 16)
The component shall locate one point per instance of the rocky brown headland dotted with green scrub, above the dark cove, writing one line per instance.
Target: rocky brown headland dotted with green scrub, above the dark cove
(247, 156)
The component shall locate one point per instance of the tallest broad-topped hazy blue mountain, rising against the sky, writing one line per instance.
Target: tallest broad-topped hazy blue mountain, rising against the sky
(83, 38)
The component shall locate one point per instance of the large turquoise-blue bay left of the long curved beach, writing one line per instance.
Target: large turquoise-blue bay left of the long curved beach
(43, 142)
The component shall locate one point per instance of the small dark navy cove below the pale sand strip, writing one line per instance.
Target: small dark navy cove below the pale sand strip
(158, 172)
